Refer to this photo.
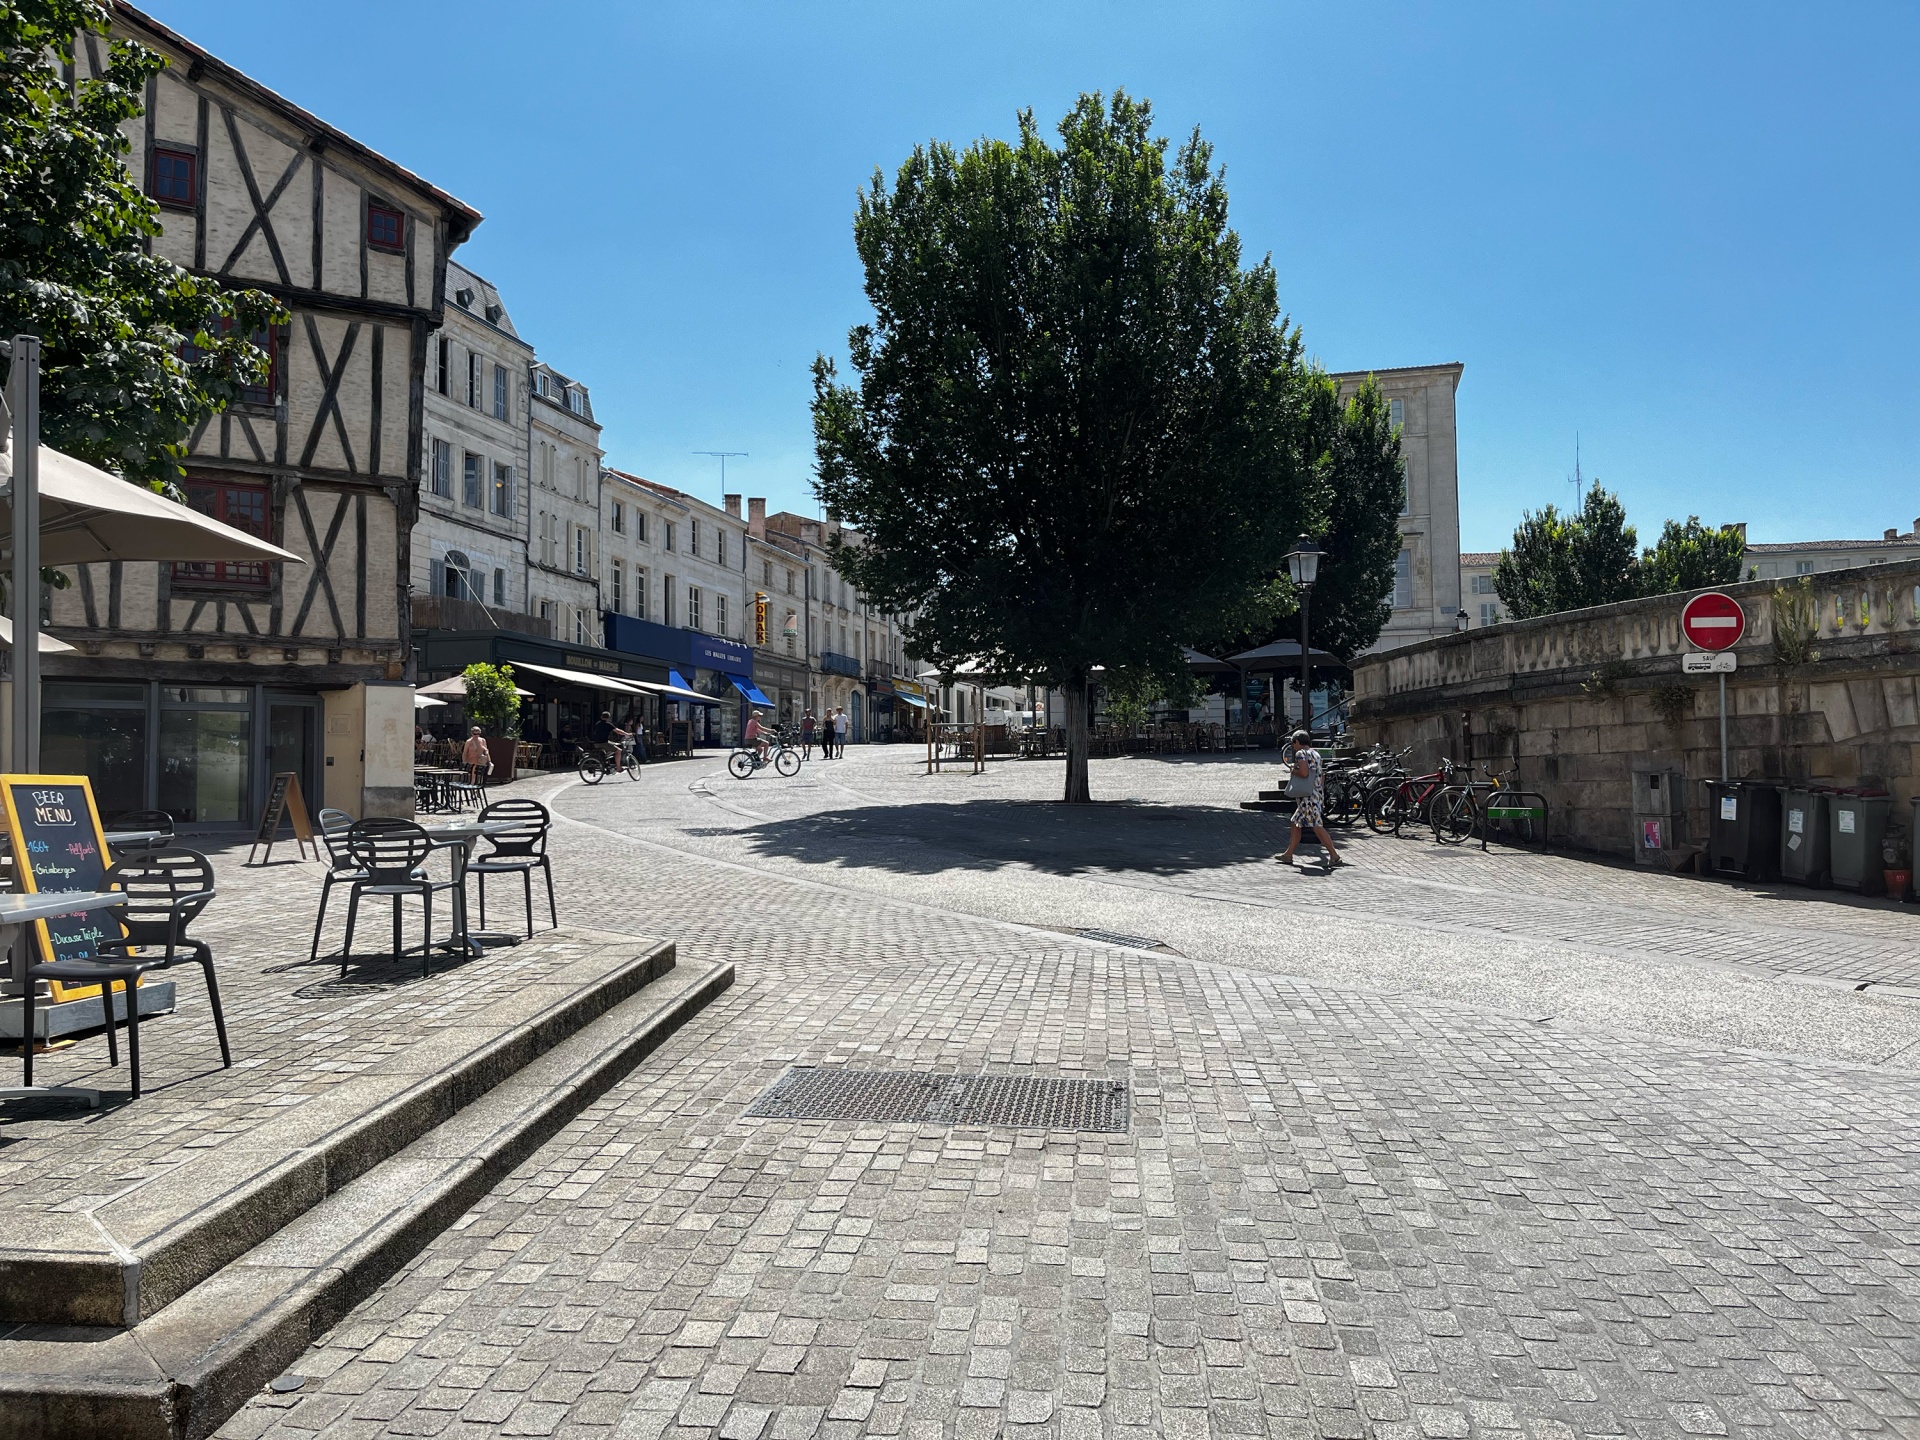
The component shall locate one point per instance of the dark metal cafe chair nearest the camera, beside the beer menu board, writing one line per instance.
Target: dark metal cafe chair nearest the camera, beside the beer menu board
(166, 890)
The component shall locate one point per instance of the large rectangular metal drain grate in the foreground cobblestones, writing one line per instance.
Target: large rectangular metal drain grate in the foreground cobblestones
(907, 1095)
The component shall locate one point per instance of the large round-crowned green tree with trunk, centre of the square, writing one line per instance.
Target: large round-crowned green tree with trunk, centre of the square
(1074, 433)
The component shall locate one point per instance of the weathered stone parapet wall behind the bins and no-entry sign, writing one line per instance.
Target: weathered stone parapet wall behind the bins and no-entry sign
(1579, 700)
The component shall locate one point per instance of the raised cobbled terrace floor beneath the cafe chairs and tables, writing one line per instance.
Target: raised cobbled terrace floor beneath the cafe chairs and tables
(297, 1032)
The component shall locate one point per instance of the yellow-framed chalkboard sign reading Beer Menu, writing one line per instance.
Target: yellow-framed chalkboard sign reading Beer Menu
(59, 848)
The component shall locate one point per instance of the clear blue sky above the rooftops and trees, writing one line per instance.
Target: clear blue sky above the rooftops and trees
(1683, 233)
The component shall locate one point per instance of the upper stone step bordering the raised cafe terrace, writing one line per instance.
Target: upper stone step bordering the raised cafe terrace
(147, 1278)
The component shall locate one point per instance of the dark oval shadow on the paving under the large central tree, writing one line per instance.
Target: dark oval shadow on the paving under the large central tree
(1045, 836)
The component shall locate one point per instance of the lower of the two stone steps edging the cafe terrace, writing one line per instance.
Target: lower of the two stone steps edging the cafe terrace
(216, 1347)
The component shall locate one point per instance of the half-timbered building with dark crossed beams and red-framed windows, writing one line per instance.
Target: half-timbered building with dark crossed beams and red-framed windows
(193, 684)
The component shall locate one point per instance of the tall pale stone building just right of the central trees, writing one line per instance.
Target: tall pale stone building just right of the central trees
(1428, 596)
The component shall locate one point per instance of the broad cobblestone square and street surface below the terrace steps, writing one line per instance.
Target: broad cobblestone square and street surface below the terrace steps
(1343, 1209)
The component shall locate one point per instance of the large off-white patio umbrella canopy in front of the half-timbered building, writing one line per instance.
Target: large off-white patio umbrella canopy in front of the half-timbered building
(91, 516)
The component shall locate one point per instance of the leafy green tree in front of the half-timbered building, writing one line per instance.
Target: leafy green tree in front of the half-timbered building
(135, 348)
